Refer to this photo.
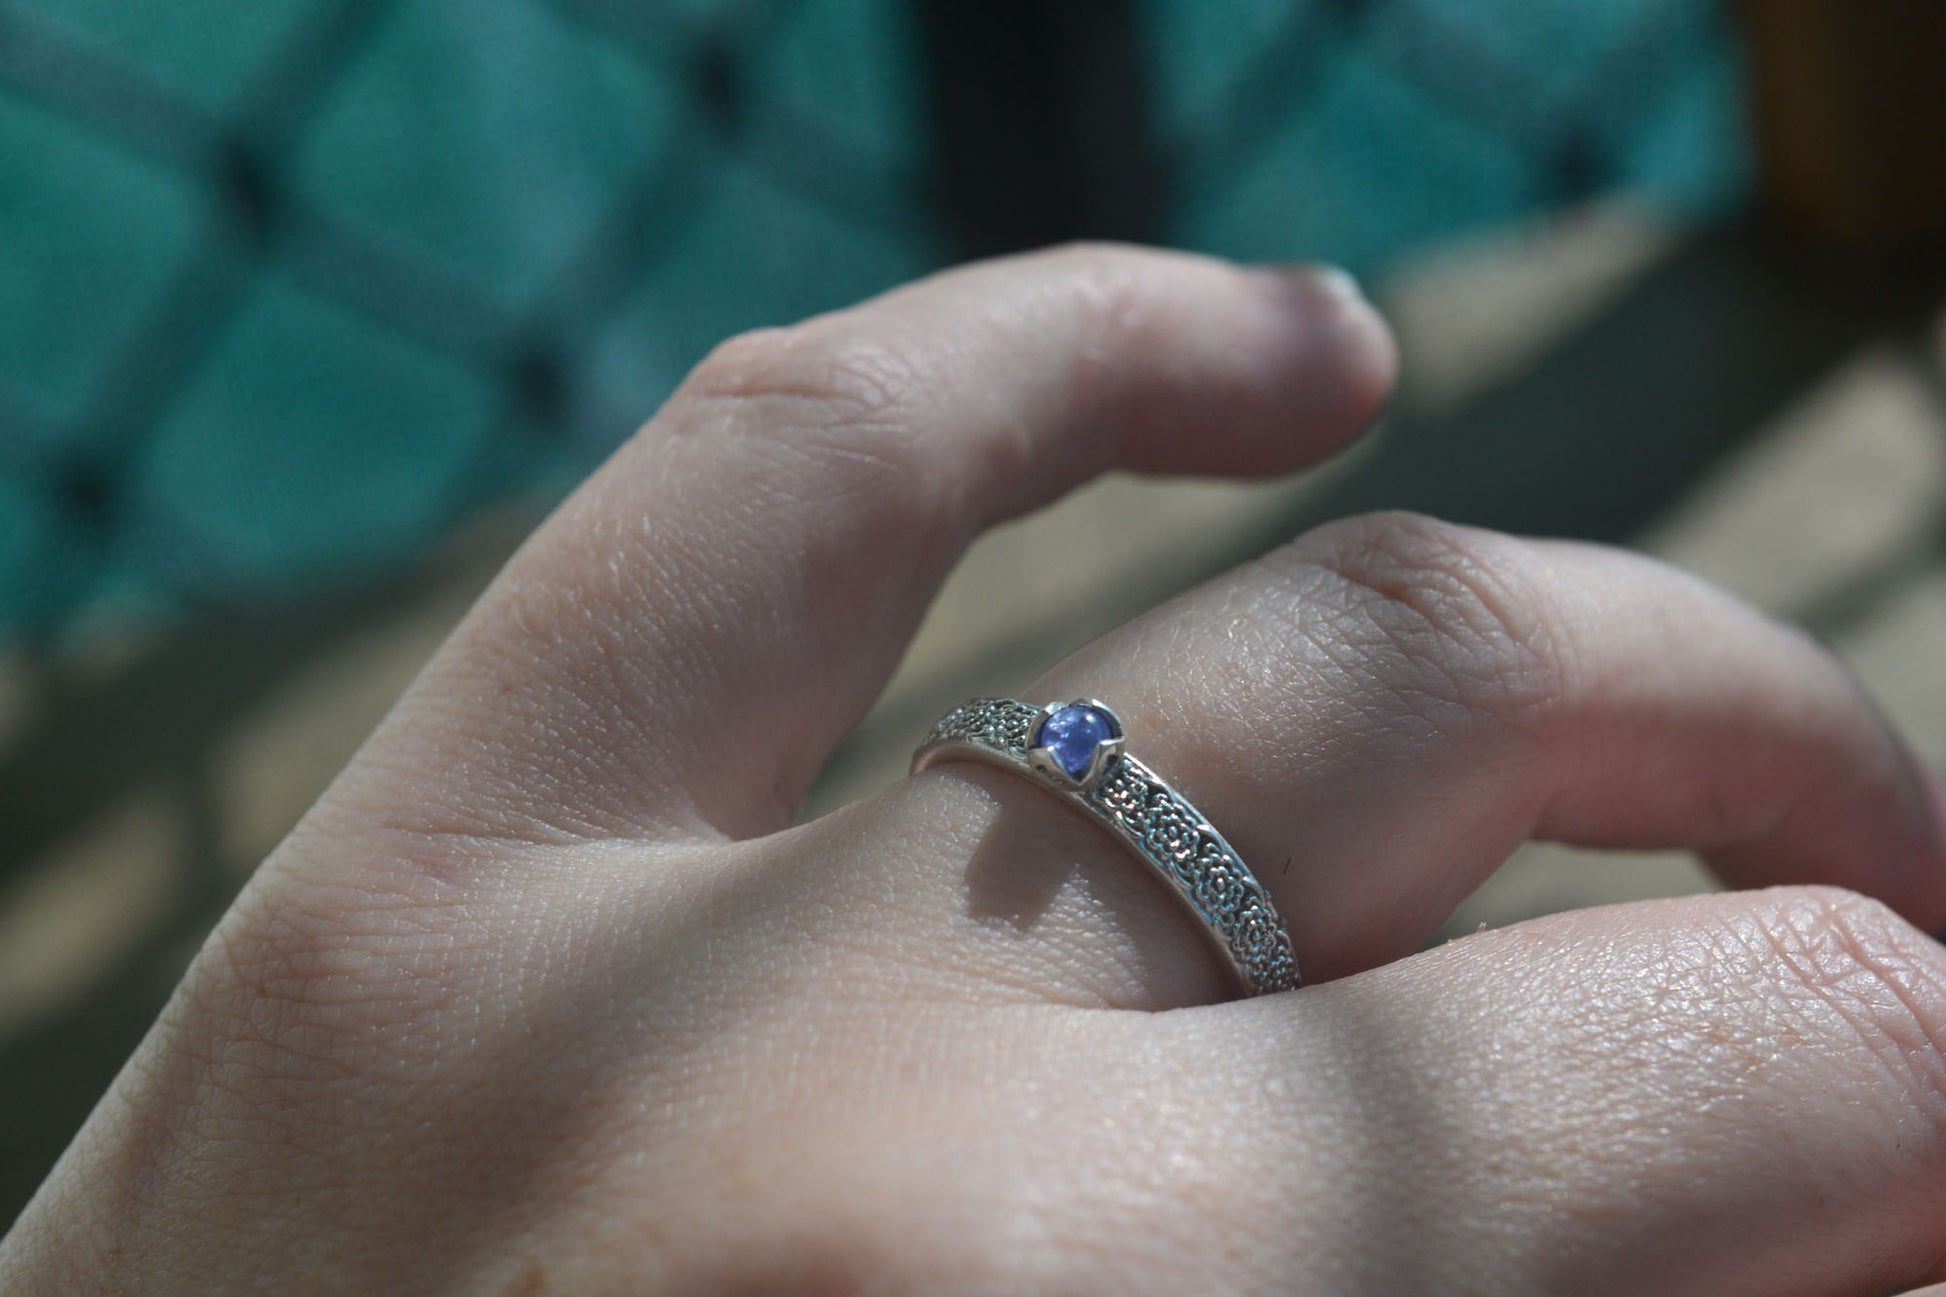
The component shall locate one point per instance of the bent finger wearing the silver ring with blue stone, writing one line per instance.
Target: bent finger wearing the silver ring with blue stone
(1383, 712)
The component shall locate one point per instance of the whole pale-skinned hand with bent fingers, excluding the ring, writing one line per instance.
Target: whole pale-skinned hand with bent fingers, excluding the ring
(550, 994)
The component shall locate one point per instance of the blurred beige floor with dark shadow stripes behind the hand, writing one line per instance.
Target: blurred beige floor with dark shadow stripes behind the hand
(1776, 427)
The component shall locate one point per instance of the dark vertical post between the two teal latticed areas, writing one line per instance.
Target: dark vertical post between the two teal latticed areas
(1040, 124)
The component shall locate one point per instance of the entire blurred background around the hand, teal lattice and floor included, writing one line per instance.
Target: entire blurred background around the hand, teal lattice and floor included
(310, 309)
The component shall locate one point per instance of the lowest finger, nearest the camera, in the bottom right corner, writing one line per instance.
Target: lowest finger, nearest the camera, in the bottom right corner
(1717, 1095)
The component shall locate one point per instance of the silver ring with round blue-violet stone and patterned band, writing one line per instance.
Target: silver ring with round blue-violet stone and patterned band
(1077, 749)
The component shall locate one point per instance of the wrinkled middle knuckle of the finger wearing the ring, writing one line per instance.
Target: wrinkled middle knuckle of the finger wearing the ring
(1457, 616)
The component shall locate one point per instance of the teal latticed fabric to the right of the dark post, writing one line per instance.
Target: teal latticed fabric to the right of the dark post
(1307, 135)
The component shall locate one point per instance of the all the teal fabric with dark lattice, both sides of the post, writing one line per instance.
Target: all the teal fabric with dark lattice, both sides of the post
(497, 233)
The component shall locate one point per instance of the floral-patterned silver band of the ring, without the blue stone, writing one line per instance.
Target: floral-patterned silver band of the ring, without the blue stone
(1153, 819)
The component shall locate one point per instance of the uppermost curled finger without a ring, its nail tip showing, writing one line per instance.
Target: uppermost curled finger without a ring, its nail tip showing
(680, 648)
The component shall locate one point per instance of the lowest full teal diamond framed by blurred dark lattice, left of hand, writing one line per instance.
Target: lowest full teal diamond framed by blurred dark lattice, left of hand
(308, 439)
